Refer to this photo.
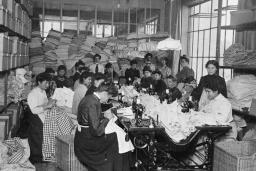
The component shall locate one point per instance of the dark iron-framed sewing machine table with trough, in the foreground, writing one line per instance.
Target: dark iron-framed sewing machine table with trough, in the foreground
(154, 149)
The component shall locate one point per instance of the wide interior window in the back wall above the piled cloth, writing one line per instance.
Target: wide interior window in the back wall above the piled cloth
(97, 21)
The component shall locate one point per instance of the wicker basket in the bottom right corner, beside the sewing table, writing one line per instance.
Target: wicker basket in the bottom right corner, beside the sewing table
(235, 156)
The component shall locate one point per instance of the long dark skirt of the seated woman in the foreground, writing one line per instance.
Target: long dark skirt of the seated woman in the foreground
(99, 153)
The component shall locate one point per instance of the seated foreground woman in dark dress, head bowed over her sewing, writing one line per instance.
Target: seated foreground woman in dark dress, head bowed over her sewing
(97, 150)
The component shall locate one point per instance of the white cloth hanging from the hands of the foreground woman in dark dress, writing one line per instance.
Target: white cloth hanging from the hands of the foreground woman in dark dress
(123, 145)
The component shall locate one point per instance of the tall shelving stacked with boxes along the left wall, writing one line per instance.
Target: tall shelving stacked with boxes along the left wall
(21, 32)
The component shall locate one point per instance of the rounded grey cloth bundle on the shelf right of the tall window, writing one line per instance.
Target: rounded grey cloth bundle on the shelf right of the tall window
(236, 54)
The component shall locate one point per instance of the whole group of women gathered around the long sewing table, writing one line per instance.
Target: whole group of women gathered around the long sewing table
(97, 150)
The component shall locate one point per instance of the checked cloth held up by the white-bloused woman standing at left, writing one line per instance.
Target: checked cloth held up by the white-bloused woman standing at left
(57, 122)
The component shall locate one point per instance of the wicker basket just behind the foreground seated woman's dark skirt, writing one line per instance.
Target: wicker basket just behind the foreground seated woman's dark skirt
(65, 156)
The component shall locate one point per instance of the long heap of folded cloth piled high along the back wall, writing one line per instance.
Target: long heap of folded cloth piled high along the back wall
(67, 48)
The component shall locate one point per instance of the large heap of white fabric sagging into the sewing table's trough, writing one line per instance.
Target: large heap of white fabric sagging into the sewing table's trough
(178, 125)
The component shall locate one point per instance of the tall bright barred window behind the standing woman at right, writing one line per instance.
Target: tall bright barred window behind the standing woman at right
(203, 31)
